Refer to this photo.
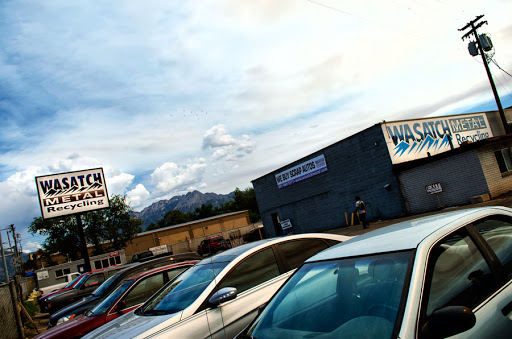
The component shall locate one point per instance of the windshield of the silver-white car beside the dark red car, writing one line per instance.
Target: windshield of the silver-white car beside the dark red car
(181, 292)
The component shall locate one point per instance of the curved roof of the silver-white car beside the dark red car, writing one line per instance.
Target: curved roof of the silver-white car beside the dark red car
(235, 252)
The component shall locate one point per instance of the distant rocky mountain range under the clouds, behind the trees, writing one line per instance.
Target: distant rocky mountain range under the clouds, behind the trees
(184, 203)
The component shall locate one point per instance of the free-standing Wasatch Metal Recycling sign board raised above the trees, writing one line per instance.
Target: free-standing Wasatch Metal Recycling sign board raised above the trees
(71, 193)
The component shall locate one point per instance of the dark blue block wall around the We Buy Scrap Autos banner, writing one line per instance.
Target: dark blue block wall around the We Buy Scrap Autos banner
(358, 165)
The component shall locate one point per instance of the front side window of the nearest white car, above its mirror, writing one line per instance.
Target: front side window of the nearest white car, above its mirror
(459, 275)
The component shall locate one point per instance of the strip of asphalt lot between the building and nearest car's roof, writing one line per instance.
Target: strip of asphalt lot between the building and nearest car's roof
(504, 200)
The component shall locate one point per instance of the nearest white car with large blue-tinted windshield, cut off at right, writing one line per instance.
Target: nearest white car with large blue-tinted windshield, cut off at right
(448, 275)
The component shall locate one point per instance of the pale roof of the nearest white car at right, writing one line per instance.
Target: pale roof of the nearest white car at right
(407, 234)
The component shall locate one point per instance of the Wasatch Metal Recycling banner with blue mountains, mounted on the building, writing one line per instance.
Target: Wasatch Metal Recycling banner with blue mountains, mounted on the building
(414, 139)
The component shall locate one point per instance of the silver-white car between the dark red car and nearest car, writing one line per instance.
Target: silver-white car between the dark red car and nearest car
(220, 295)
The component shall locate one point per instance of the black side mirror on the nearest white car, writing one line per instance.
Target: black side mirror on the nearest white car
(448, 321)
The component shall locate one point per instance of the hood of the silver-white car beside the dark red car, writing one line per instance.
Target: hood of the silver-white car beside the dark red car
(131, 325)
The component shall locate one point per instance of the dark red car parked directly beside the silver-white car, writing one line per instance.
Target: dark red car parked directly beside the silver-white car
(130, 294)
